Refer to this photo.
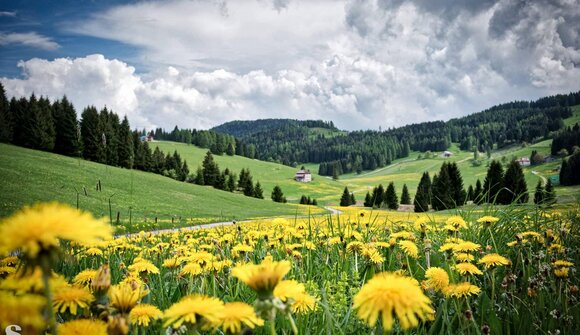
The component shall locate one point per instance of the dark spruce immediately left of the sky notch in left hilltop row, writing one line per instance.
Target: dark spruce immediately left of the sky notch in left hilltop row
(67, 141)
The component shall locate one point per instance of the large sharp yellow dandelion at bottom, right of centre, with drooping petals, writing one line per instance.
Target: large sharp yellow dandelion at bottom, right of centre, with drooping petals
(387, 294)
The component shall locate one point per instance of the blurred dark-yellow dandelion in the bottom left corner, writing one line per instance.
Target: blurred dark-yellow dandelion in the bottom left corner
(23, 310)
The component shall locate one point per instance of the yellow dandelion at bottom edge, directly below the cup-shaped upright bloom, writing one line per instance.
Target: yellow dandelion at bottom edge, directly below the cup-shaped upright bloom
(237, 315)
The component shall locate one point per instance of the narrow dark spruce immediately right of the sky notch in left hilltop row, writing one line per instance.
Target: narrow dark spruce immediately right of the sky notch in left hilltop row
(91, 135)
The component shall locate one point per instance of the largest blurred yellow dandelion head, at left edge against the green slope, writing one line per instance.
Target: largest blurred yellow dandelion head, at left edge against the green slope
(41, 227)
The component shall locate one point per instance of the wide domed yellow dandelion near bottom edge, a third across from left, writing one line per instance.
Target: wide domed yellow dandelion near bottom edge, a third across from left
(195, 310)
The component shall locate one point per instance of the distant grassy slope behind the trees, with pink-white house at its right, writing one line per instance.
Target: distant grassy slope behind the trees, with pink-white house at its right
(269, 174)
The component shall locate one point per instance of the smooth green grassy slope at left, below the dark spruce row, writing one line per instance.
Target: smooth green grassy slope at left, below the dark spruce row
(30, 176)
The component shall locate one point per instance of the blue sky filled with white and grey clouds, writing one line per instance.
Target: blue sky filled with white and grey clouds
(362, 64)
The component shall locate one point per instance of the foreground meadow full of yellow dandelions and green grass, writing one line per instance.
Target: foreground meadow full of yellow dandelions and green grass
(499, 270)
